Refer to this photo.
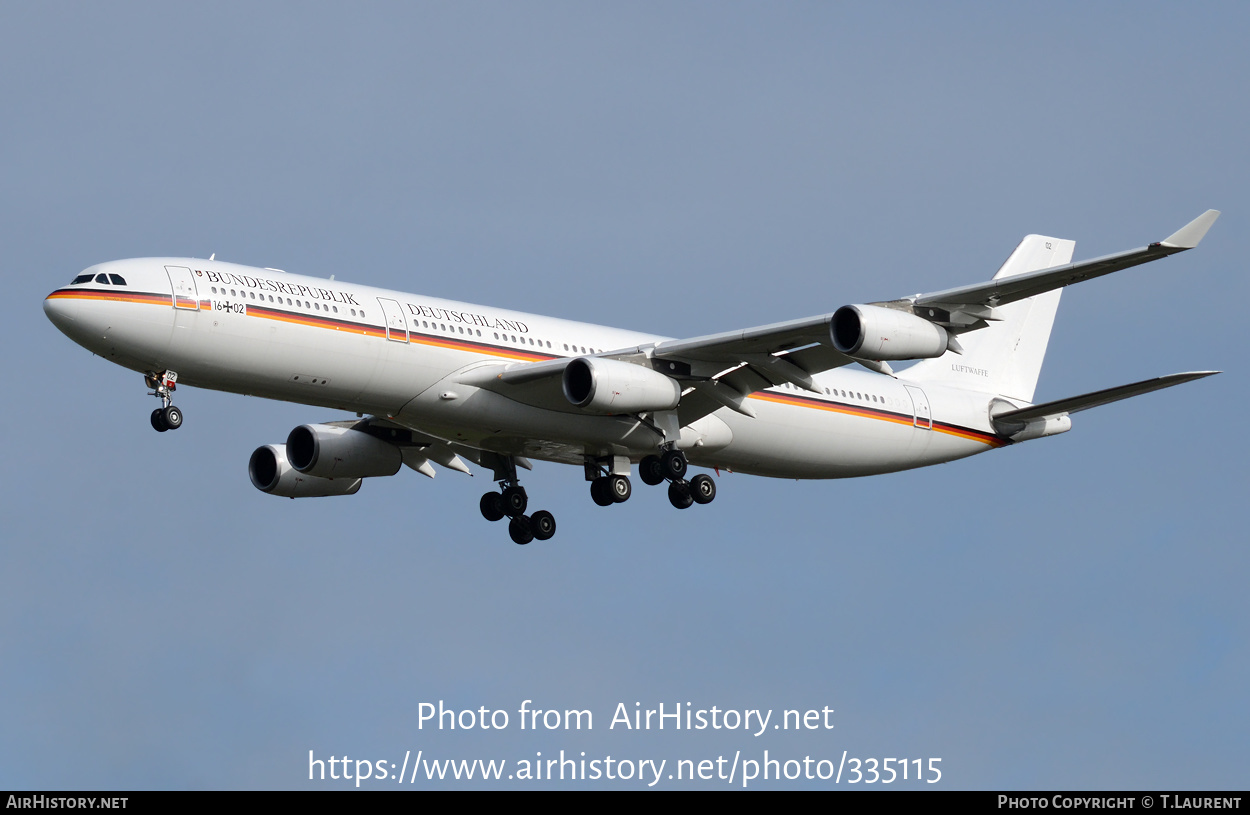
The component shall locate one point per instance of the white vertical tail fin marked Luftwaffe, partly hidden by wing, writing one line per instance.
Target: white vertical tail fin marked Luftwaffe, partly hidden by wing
(1006, 358)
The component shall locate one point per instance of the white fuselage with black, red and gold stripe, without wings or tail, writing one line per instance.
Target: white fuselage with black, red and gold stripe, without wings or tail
(411, 358)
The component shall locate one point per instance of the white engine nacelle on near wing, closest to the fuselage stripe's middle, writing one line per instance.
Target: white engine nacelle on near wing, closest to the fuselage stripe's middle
(613, 387)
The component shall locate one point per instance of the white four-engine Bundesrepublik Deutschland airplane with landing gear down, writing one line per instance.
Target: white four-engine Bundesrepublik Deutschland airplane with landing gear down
(437, 383)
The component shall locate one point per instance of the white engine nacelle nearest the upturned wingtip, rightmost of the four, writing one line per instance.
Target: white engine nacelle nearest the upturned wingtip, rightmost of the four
(874, 333)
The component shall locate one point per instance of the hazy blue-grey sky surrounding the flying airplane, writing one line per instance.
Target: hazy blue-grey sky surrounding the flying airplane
(1063, 614)
